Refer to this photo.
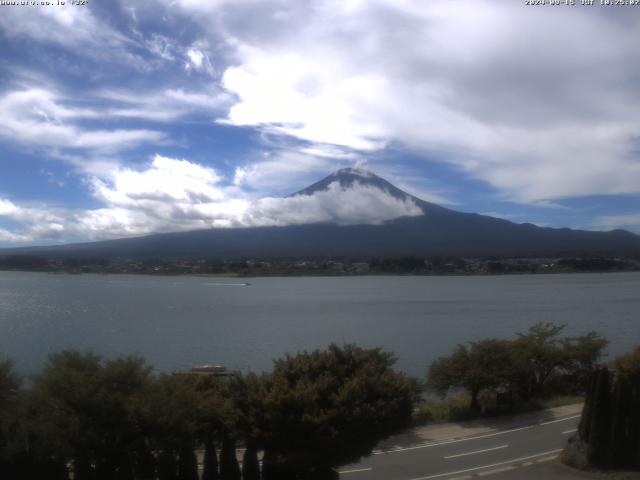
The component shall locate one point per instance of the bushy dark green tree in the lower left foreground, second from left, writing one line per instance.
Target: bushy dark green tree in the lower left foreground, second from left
(80, 412)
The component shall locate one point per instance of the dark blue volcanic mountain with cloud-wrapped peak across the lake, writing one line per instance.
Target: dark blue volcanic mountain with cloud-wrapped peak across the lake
(438, 231)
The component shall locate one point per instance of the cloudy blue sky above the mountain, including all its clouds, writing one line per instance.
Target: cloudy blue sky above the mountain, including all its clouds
(126, 118)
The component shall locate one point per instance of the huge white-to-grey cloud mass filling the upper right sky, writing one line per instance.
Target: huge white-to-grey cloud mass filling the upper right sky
(540, 103)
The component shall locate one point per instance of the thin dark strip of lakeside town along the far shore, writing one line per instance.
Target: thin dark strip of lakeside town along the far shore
(325, 266)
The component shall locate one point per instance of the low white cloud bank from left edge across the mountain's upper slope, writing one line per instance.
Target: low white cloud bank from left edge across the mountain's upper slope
(178, 195)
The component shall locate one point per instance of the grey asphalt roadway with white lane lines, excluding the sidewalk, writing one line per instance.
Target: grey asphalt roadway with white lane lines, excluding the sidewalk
(467, 457)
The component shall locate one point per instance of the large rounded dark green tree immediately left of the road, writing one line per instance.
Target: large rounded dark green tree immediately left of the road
(327, 408)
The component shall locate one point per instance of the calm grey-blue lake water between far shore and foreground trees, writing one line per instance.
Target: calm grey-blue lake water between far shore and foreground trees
(175, 322)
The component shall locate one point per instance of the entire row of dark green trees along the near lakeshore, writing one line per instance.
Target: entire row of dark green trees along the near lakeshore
(85, 417)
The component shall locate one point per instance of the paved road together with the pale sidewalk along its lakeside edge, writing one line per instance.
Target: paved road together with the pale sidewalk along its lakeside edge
(523, 446)
